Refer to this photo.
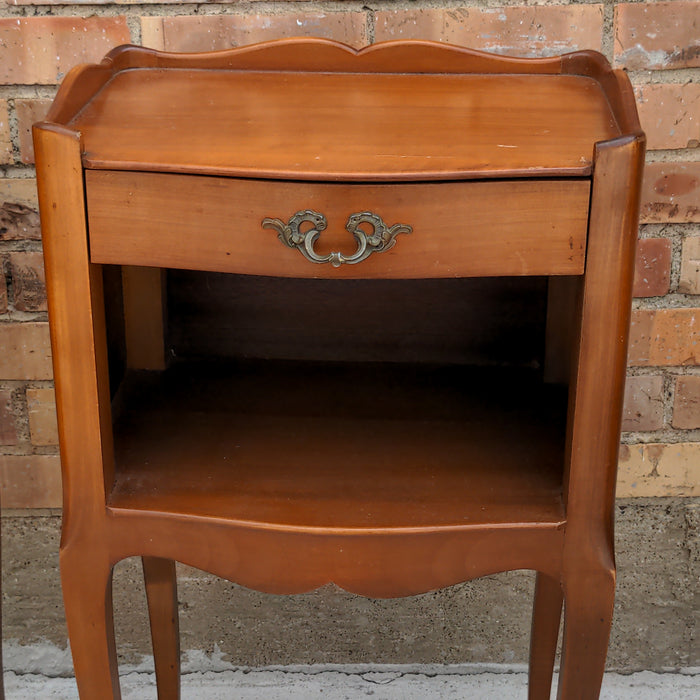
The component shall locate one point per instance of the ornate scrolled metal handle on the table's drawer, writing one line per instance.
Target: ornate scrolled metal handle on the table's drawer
(382, 237)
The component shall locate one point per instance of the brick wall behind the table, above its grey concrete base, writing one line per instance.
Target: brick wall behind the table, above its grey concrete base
(657, 42)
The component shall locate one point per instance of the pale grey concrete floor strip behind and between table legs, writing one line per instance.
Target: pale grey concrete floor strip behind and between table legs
(348, 683)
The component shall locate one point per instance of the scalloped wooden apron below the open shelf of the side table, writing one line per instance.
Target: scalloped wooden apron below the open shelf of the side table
(378, 565)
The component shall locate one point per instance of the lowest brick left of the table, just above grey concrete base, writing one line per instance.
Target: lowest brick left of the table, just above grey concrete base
(30, 481)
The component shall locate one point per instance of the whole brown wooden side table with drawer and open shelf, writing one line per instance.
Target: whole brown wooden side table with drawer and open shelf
(306, 159)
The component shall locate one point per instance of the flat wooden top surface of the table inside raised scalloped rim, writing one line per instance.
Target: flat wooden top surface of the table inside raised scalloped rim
(345, 126)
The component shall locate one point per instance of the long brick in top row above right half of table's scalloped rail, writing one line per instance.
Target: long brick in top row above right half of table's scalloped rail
(534, 30)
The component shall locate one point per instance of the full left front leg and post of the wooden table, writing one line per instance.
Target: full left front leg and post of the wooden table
(76, 313)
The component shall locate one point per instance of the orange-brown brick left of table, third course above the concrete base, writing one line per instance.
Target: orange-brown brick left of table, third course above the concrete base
(25, 351)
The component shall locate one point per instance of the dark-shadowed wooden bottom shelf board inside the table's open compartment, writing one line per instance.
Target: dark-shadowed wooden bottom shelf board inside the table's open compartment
(347, 446)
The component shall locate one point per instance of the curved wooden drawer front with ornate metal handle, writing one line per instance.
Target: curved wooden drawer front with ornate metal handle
(450, 229)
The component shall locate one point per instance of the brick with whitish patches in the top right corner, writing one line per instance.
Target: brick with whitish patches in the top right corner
(657, 35)
